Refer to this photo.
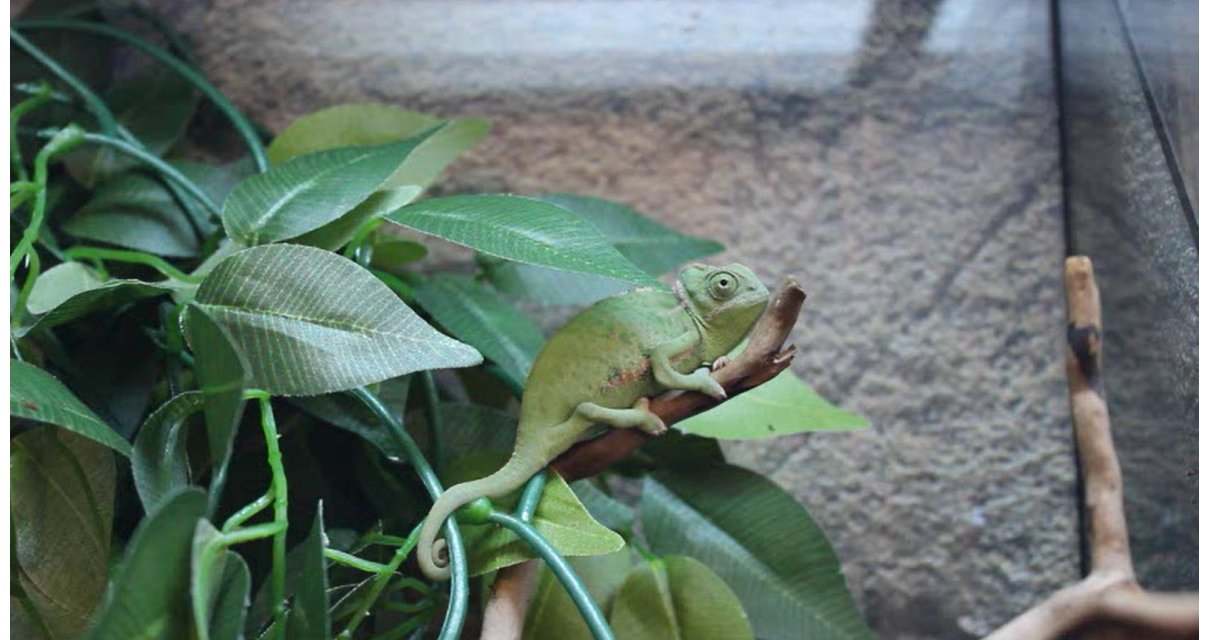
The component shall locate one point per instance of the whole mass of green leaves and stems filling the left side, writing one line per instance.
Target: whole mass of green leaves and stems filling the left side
(193, 310)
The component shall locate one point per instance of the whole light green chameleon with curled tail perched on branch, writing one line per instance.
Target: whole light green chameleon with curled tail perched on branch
(603, 367)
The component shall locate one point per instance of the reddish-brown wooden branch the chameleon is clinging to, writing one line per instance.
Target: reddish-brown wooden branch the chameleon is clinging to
(763, 360)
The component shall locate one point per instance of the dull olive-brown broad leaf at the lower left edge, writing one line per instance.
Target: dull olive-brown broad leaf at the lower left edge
(62, 508)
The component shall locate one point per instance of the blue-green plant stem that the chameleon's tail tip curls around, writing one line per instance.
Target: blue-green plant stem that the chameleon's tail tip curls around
(456, 615)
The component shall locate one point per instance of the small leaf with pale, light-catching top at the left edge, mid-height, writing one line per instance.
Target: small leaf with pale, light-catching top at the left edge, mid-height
(72, 291)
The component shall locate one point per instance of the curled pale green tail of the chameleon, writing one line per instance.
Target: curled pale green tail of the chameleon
(431, 553)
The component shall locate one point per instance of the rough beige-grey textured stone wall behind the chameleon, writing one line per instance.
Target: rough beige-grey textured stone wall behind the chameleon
(901, 159)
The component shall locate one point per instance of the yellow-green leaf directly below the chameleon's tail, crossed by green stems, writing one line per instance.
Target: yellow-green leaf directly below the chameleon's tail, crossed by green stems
(561, 518)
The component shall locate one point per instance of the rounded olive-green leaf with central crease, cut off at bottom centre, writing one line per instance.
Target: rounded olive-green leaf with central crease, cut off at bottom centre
(677, 598)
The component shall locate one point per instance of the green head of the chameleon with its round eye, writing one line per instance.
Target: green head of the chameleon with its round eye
(729, 297)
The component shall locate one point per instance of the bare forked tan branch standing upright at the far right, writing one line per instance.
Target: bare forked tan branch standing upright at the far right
(1109, 602)
